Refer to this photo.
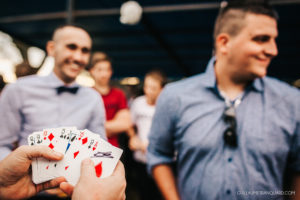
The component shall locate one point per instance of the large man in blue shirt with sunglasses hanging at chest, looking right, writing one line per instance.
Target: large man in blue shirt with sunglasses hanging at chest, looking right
(233, 129)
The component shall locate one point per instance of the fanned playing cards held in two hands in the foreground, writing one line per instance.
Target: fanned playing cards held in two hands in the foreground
(76, 145)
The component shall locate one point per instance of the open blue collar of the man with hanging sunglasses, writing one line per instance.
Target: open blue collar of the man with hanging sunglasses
(210, 77)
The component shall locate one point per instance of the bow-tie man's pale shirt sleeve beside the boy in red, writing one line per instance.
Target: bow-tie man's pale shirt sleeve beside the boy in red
(98, 118)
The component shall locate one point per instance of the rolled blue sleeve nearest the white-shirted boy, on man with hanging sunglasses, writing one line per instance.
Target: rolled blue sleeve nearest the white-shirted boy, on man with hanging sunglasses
(161, 144)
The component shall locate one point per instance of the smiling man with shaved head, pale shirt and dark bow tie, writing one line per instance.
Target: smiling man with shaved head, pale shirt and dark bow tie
(34, 103)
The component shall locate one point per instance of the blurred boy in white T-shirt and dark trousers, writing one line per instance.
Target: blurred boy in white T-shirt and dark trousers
(142, 111)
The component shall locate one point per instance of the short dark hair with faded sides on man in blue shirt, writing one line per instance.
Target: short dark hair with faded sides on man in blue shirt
(231, 17)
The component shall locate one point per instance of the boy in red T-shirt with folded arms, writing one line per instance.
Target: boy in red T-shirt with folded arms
(115, 102)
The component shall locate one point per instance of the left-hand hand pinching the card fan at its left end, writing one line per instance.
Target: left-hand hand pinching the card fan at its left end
(15, 177)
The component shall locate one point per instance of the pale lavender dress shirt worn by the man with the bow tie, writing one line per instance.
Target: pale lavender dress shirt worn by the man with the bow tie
(32, 104)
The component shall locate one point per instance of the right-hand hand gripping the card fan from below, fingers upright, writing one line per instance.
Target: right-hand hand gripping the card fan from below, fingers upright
(90, 187)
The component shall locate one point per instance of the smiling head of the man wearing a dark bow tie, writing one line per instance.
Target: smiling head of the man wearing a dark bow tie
(70, 46)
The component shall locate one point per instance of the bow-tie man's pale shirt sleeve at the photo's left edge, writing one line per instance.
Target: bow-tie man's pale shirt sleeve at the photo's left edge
(10, 118)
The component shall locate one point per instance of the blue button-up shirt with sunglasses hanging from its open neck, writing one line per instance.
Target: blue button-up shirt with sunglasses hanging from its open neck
(188, 120)
